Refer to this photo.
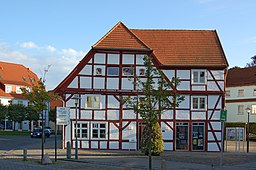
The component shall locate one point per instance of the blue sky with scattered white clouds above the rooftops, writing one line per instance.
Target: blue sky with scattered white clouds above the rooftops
(52, 36)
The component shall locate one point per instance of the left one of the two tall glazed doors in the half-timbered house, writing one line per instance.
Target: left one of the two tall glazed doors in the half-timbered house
(182, 136)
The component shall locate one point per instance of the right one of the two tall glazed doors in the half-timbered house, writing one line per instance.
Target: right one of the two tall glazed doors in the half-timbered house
(198, 136)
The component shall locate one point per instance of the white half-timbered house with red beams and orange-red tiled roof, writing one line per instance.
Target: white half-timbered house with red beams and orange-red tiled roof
(102, 78)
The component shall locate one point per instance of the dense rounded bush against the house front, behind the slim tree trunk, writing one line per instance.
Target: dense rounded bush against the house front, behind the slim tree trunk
(157, 145)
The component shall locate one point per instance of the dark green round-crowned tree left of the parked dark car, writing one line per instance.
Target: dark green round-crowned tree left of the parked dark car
(16, 113)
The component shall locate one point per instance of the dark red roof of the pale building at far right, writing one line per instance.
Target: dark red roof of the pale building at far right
(241, 76)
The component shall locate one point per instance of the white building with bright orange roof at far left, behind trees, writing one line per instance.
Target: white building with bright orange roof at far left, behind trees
(12, 78)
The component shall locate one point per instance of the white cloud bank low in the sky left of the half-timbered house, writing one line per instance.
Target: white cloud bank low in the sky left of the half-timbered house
(62, 62)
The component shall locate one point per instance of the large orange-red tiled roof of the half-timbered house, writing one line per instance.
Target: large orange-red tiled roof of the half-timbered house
(171, 47)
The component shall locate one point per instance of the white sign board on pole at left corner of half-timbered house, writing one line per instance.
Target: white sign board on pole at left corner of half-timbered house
(63, 116)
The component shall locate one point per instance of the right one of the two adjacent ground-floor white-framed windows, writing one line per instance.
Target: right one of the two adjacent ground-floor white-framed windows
(98, 130)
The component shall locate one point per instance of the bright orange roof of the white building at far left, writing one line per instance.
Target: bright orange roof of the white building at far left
(16, 74)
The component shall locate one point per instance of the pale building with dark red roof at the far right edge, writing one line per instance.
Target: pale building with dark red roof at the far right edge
(241, 94)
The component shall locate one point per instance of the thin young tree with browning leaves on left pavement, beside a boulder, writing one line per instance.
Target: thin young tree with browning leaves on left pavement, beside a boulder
(38, 98)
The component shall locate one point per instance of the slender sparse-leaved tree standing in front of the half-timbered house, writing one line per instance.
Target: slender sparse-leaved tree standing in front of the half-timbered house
(154, 97)
